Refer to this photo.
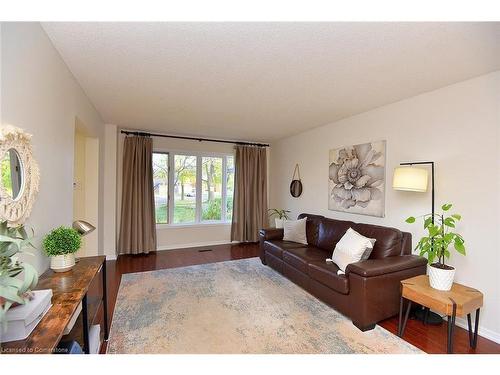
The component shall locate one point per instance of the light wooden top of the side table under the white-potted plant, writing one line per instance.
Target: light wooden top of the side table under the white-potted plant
(418, 289)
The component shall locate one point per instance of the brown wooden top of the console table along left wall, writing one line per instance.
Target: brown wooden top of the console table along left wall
(68, 289)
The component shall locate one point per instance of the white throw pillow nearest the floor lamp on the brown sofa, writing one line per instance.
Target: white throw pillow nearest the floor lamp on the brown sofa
(352, 248)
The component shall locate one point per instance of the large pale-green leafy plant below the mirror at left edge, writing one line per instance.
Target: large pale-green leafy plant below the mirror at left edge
(16, 278)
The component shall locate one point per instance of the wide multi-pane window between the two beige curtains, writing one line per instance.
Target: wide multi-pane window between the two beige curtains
(200, 188)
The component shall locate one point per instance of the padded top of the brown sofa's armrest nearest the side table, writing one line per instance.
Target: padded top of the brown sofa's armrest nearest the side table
(377, 267)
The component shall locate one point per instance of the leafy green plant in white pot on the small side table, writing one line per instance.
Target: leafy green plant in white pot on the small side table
(435, 246)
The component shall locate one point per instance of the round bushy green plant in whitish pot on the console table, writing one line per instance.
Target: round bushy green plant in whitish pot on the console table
(61, 245)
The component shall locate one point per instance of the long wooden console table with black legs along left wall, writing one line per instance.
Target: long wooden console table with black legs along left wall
(69, 289)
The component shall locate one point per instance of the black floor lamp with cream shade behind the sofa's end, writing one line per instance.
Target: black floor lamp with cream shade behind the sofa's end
(407, 177)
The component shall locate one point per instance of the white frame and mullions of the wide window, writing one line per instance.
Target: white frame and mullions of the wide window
(171, 172)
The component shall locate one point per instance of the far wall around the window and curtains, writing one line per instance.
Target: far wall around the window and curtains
(178, 236)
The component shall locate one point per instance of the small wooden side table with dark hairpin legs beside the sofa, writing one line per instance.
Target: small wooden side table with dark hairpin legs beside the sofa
(460, 300)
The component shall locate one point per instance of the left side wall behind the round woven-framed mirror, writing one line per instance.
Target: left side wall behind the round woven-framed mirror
(40, 95)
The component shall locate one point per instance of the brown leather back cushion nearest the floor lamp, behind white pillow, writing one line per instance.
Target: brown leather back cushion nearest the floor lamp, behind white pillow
(388, 242)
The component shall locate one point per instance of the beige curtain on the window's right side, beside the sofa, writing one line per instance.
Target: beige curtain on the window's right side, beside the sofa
(250, 193)
